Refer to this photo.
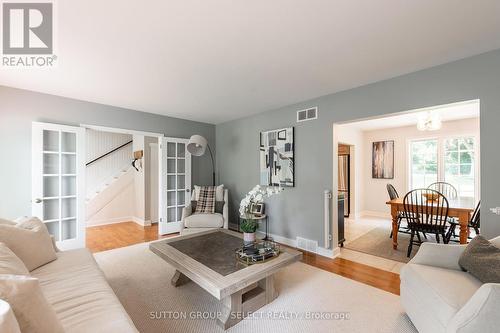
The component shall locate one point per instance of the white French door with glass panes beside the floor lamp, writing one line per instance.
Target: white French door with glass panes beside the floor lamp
(176, 183)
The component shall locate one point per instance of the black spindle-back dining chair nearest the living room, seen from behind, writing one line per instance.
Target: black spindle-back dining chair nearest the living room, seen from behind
(426, 211)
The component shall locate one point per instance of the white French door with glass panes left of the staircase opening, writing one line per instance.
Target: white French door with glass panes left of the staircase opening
(58, 184)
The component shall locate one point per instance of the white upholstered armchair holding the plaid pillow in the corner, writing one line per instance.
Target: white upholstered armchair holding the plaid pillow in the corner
(193, 222)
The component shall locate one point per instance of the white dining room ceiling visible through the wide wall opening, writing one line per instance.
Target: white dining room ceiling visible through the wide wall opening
(448, 112)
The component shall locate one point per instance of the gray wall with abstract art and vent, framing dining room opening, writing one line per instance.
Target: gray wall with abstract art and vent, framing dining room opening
(299, 211)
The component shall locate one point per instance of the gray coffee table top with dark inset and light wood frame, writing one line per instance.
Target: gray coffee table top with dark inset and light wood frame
(208, 259)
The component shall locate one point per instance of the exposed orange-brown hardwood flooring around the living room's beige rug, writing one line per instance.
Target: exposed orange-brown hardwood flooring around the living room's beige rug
(117, 235)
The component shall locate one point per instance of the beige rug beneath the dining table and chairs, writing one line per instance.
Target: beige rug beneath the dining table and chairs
(377, 242)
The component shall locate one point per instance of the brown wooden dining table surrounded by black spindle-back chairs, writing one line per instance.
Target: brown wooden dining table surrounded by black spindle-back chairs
(460, 208)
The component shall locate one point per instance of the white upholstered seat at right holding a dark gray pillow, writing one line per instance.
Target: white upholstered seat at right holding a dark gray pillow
(439, 297)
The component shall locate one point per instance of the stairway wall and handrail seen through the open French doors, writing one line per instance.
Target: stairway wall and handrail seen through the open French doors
(118, 176)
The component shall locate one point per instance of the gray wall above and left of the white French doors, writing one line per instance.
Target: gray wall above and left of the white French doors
(18, 108)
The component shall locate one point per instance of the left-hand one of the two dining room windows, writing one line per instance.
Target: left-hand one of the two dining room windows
(424, 163)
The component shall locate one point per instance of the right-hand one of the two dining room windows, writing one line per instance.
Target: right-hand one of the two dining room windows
(459, 164)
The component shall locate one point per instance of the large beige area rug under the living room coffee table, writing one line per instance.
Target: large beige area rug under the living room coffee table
(141, 281)
